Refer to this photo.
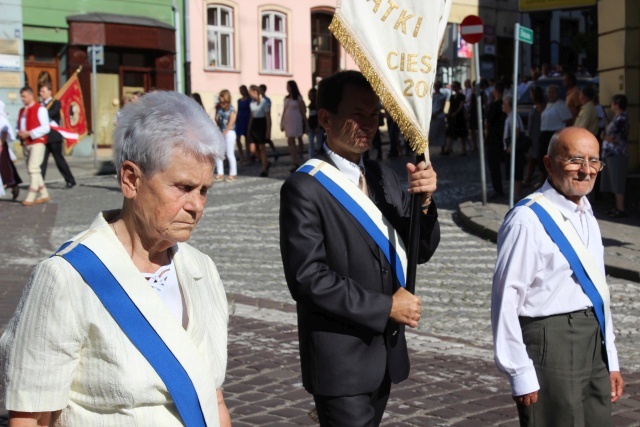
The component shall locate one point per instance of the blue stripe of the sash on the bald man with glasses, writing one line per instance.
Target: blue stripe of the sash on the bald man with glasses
(574, 261)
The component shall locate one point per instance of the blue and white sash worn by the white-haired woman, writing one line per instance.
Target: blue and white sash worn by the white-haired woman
(170, 353)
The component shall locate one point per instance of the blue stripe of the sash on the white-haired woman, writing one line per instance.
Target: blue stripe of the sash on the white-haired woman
(139, 331)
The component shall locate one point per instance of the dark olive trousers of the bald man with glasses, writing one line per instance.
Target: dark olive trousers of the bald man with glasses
(569, 359)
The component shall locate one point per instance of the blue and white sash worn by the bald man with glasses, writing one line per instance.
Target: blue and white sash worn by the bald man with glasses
(593, 282)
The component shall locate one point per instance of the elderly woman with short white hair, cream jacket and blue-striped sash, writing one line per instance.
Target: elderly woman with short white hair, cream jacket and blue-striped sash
(127, 324)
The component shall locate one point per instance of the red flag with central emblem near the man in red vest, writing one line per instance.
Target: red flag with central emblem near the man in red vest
(72, 113)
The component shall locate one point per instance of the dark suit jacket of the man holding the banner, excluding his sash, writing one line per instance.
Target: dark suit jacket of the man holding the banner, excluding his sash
(343, 284)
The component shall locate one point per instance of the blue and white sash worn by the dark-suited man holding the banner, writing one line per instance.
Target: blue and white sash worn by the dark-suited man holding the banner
(364, 211)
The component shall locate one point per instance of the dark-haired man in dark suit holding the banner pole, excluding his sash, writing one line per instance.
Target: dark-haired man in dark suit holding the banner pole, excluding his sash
(351, 310)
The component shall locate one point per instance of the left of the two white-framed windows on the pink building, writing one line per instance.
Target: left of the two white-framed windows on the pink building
(220, 37)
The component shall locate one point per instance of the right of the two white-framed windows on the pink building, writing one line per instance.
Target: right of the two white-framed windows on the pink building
(274, 42)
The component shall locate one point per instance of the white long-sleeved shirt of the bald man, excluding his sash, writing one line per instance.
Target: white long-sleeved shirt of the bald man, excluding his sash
(533, 279)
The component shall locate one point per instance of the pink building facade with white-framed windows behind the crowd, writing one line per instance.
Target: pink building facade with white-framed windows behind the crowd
(260, 42)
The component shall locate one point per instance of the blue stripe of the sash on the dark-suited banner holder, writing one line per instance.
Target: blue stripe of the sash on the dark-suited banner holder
(363, 218)
